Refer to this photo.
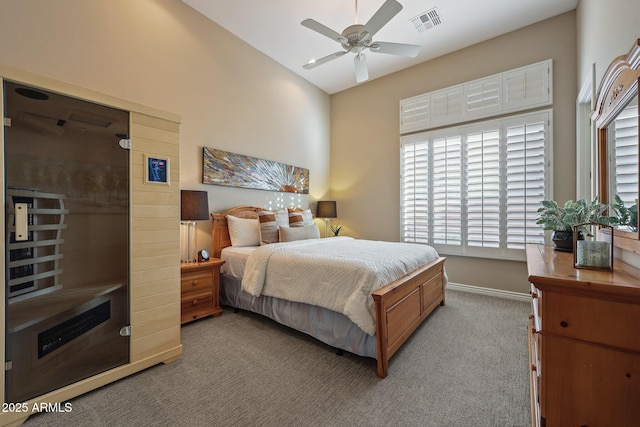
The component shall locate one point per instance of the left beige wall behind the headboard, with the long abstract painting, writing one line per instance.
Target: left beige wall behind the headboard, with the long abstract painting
(163, 54)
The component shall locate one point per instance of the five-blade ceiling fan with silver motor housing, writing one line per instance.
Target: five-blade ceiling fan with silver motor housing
(357, 38)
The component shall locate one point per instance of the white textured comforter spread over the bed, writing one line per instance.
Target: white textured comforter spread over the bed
(337, 273)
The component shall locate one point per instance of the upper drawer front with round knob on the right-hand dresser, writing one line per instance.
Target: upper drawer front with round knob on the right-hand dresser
(594, 320)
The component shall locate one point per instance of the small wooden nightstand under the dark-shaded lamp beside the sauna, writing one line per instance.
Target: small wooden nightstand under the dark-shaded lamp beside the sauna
(199, 289)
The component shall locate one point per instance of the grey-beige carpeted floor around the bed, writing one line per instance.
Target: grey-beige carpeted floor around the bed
(465, 366)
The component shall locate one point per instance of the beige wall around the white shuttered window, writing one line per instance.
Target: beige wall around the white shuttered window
(365, 126)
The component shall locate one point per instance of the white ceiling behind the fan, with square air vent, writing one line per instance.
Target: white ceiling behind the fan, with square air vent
(437, 26)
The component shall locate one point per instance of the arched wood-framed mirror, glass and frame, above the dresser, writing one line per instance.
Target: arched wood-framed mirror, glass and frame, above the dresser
(616, 118)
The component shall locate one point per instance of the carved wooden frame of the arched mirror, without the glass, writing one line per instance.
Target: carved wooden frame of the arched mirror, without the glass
(618, 87)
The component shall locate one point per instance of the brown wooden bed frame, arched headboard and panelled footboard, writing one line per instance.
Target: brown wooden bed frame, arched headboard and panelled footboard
(401, 306)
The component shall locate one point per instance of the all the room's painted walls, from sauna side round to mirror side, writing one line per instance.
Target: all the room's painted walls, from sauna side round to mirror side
(163, 54)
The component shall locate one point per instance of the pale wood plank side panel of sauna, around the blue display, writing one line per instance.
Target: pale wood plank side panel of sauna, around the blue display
(155, 239)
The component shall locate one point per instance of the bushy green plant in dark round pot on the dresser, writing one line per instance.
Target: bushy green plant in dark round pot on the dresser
(561, 218)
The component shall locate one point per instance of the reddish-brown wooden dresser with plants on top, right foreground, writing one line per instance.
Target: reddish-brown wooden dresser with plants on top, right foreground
(584, 342)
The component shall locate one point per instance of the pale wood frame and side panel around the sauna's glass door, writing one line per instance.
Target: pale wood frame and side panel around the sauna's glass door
(154, 244)
